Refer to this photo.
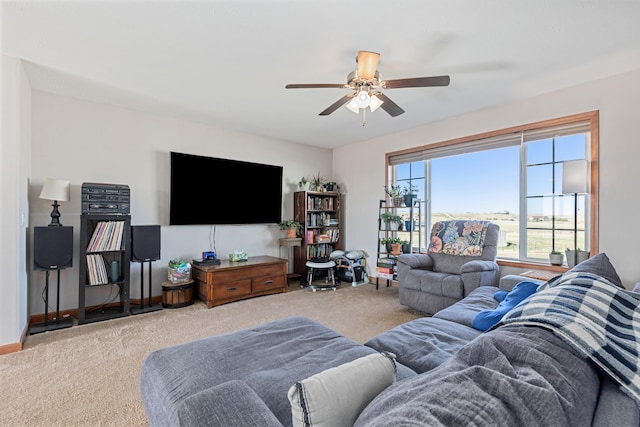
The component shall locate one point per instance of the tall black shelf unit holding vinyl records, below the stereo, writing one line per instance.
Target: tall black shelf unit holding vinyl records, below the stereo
(109, 310)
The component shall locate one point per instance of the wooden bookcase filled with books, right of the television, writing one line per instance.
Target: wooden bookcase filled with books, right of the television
(321, 231)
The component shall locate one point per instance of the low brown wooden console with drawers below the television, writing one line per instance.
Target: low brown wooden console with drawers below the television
(232, 281)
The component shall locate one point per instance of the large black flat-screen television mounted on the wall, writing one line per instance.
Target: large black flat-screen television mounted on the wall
(214, 191)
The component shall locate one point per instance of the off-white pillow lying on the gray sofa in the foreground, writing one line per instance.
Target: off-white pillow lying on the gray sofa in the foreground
(336, 397)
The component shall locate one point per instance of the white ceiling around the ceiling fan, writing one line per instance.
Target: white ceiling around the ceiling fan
(226, 62)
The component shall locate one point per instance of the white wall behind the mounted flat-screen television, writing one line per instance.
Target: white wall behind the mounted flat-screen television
(87, 142)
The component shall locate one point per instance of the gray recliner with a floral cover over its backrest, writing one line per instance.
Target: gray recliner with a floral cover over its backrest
(429, 282)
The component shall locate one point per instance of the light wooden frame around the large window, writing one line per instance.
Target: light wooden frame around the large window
(592, 117)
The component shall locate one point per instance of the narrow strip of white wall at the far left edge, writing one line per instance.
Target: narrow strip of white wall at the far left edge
(14, 159)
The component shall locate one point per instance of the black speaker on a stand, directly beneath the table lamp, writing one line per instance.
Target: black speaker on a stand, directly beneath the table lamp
(52, 247)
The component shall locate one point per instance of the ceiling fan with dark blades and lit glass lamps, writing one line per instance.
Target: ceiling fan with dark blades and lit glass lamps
(366, 85)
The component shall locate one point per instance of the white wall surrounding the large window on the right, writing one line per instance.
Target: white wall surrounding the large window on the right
(616, 98)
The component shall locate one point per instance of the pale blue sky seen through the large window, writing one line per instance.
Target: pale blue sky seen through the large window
(489, 181)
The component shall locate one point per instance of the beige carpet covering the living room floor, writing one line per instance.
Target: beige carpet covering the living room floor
(89, 375)
